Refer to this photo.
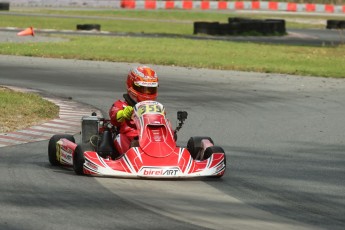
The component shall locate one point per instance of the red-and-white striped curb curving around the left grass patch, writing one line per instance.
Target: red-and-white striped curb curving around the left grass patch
(68, 122)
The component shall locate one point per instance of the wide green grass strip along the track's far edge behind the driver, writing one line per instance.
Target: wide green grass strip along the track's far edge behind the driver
(300, 60)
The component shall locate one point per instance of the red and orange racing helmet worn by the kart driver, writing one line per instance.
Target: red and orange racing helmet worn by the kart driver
(142, 84)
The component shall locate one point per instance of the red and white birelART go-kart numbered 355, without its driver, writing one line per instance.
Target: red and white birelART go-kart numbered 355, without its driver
(153, 154)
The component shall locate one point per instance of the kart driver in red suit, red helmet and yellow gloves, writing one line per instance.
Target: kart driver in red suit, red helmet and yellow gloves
(142, 85)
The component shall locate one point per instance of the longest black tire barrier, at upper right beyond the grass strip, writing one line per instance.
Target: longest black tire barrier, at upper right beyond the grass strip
(242, 26)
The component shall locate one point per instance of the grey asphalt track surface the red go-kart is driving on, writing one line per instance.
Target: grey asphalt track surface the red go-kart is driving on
(283, 136)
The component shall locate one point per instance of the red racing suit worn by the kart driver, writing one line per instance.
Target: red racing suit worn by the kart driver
(127, 131)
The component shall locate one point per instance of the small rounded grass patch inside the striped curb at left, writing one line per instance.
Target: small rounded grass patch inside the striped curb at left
(19, 110)
